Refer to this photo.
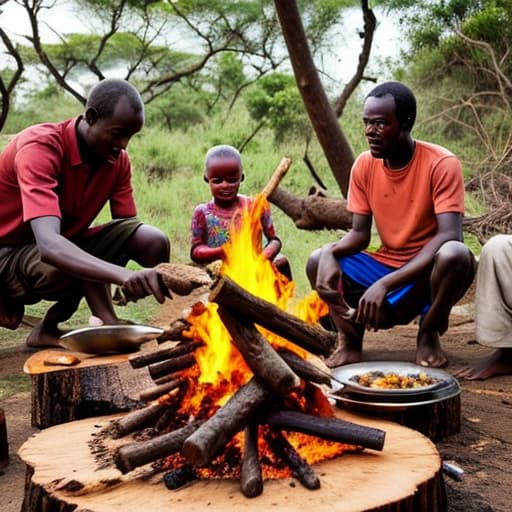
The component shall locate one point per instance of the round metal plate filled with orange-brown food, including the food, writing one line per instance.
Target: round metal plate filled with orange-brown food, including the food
(388, 378)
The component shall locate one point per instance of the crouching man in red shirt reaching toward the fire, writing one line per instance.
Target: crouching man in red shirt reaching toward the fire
(55, 179)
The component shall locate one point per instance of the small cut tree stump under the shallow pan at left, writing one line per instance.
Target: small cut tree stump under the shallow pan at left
(97, 385)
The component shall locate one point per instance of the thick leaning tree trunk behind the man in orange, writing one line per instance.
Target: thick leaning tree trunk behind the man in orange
(323, 118)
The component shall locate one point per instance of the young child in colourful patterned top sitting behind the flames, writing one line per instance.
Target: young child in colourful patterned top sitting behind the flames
(211, 221)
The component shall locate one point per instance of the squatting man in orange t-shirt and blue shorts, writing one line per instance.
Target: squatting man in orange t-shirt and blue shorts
(414, 191)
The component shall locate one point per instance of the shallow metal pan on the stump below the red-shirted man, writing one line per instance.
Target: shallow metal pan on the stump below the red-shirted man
(109, 338)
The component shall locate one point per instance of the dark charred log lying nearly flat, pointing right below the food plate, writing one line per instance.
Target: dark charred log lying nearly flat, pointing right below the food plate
(332, 429)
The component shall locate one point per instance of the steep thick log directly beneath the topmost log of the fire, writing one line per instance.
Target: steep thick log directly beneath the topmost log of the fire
(259, 354)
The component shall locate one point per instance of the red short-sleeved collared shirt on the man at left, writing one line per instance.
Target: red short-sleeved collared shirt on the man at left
(42, 173)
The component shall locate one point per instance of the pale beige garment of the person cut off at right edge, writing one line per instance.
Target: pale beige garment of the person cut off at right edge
(494, 293)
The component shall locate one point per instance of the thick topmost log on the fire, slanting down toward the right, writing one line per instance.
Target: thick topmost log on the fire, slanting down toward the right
(312, 338)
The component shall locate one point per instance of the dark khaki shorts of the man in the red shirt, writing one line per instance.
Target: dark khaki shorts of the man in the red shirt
(24, 278)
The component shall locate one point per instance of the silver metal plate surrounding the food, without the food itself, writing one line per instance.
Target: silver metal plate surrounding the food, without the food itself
(347, 375)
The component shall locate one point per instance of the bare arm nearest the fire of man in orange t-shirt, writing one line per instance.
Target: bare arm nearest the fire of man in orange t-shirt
(328, 272)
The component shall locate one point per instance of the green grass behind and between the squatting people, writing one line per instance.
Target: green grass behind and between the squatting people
(168, 184)
